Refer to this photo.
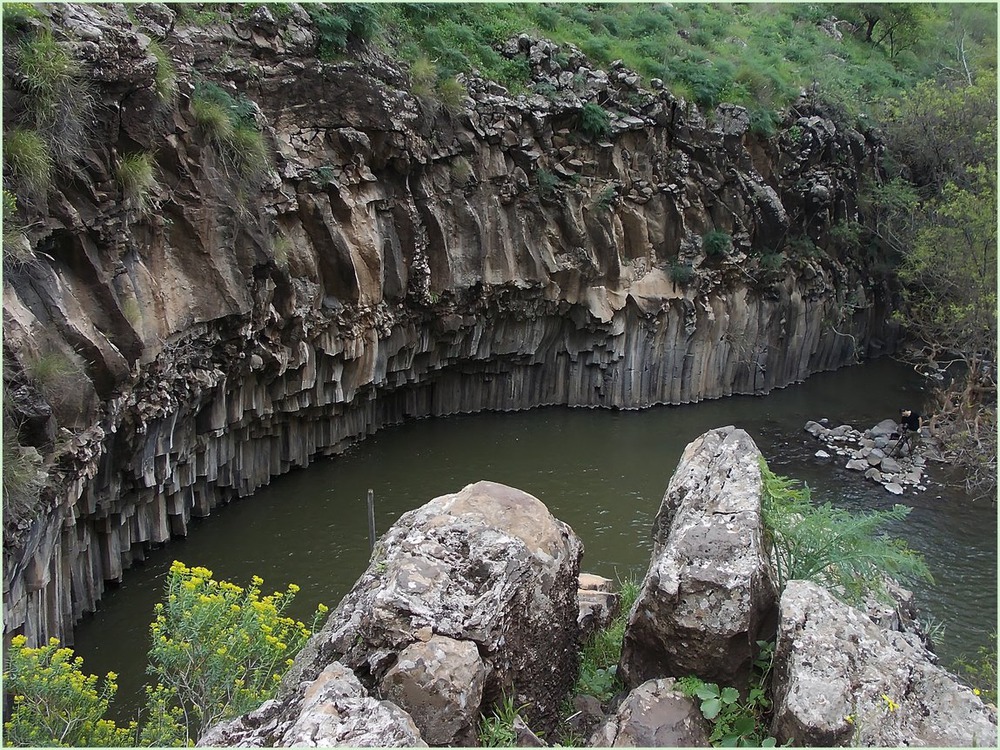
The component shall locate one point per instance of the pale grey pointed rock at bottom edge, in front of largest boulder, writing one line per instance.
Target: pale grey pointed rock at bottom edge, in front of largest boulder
(333, 709)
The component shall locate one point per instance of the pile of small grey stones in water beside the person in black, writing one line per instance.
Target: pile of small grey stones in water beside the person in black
(878, 452)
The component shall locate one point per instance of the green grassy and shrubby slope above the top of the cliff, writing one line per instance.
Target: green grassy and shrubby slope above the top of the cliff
(761, 56)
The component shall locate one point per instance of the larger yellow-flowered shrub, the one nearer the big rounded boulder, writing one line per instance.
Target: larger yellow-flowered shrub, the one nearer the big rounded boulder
(219, 649)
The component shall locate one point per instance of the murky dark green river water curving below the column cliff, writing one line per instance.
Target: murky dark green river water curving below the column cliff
(603, 472)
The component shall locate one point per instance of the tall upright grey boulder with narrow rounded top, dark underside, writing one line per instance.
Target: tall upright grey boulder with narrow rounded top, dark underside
(707, 596)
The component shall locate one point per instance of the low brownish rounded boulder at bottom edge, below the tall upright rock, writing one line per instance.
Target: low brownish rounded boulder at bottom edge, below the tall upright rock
(654, 715)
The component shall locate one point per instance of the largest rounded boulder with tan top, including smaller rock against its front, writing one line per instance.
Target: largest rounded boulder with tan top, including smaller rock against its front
(472, 596)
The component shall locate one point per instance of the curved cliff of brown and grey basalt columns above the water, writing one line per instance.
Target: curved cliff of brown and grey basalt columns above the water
(397, 260)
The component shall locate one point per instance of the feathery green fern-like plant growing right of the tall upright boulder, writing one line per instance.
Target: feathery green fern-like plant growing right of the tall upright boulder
(845, 552)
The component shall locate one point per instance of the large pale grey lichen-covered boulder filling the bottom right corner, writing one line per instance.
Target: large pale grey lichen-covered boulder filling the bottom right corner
(839, 679)
